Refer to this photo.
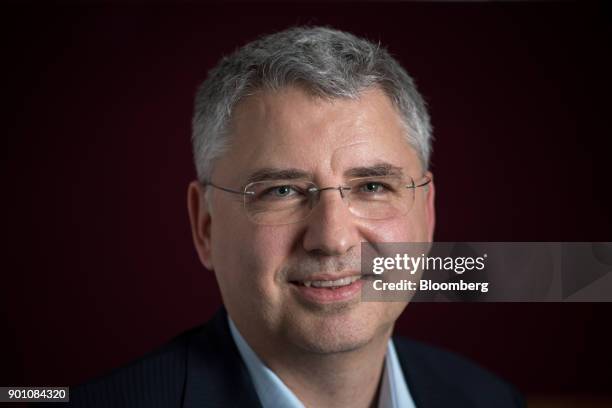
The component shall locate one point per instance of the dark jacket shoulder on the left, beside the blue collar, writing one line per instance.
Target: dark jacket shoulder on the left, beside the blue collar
(200, 367)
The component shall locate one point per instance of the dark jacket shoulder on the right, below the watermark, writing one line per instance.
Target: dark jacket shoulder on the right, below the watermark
(434, 374)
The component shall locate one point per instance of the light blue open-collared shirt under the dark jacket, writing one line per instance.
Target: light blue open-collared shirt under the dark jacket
(273, 393)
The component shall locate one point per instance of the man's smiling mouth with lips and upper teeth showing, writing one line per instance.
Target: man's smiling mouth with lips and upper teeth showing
(328, 289)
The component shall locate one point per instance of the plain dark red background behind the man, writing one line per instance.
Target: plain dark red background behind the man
(97, 262)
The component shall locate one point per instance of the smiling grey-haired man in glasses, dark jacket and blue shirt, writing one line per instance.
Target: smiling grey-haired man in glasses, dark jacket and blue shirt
(307, 143)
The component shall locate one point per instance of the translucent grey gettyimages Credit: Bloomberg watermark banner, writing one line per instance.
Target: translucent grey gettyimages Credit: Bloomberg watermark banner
(487, 271)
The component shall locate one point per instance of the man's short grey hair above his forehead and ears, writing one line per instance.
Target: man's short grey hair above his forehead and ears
(328, 63)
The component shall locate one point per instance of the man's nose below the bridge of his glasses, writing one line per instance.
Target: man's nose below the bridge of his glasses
(331, 228)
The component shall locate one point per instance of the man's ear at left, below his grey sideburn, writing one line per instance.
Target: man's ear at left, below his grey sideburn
(200, 219)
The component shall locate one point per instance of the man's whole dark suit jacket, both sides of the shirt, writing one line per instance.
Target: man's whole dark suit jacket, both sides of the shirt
(203, 368)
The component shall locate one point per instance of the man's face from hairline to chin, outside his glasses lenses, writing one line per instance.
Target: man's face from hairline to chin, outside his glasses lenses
(261, 268)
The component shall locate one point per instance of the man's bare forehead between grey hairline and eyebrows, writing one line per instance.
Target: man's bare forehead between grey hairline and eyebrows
(290, 128)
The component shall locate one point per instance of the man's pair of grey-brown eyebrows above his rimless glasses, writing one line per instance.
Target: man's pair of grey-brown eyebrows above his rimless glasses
(376, 170)
